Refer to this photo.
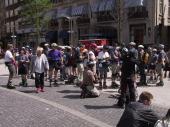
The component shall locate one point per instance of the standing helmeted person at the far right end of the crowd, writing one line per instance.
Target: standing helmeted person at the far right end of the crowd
(161, 62)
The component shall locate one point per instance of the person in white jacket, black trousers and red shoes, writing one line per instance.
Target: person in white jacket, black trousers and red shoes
(40, 66)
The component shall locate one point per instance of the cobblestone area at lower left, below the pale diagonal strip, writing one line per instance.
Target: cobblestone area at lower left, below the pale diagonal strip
(20, 111)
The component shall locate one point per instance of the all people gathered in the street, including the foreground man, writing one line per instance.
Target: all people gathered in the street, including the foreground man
(88, 67)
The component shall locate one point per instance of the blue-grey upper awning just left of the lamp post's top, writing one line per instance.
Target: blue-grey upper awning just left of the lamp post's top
(63, 12)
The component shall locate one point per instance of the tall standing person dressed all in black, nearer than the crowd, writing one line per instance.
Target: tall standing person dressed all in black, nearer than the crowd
(127, 82)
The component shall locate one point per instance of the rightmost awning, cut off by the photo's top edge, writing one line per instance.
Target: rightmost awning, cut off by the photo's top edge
(134, 3)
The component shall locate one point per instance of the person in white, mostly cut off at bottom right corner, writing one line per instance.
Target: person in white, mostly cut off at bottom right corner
(165, 121)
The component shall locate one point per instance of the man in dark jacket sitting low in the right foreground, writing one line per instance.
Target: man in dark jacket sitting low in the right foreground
(139, 114)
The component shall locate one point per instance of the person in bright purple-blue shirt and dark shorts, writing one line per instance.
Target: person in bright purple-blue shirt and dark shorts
(55, 61)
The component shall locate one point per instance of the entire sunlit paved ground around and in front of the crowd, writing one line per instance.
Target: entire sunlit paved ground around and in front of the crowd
(22, 111)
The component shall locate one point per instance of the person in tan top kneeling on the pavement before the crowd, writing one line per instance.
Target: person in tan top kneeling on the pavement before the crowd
(88, 87)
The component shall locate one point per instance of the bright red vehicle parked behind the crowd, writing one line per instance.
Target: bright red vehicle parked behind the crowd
(94, 42)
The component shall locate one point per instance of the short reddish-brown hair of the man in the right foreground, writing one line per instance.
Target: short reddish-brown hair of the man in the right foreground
(145, 96)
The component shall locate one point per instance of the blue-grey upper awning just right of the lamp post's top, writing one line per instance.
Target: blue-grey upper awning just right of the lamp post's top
(80, 10)
